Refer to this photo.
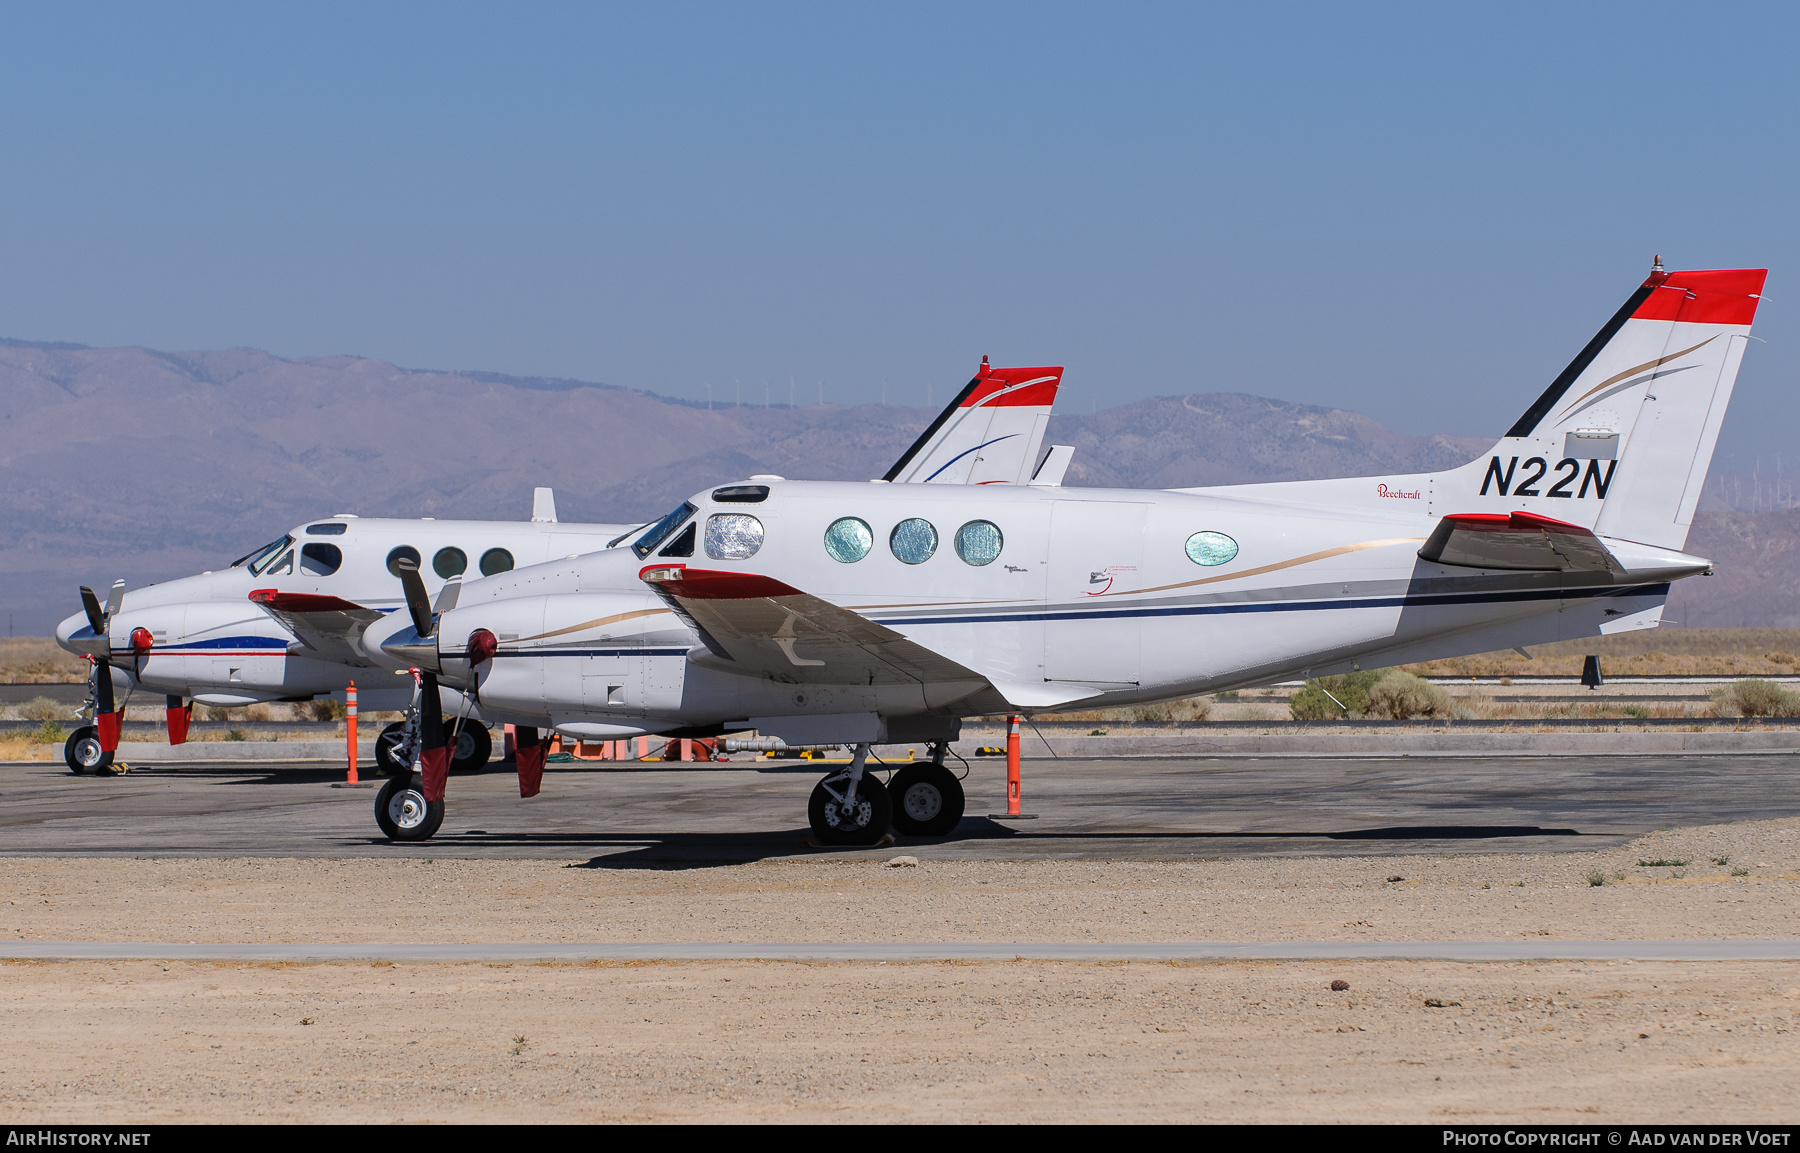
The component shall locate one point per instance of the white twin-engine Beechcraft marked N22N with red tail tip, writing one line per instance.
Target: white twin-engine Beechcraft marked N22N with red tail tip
(886, 612)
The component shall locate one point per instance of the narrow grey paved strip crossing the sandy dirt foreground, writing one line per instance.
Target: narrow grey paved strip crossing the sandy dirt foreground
(910, 952)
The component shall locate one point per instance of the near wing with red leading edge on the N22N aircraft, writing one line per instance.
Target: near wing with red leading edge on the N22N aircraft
(768, 629)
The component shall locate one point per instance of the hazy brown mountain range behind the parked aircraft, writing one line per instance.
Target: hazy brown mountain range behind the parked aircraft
(145, 465)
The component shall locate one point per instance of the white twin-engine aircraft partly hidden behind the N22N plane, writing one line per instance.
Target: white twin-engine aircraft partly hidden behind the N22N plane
(287, 621)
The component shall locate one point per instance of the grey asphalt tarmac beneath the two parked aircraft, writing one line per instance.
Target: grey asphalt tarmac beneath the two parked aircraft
(1142, 809)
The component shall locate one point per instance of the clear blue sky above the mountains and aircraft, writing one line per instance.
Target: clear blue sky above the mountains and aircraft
(1414, 211)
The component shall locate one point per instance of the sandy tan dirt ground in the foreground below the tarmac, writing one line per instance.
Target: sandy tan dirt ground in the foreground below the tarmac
(1675, 1042)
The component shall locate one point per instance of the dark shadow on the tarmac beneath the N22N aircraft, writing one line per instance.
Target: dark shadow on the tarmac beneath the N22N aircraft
(714, 850)
